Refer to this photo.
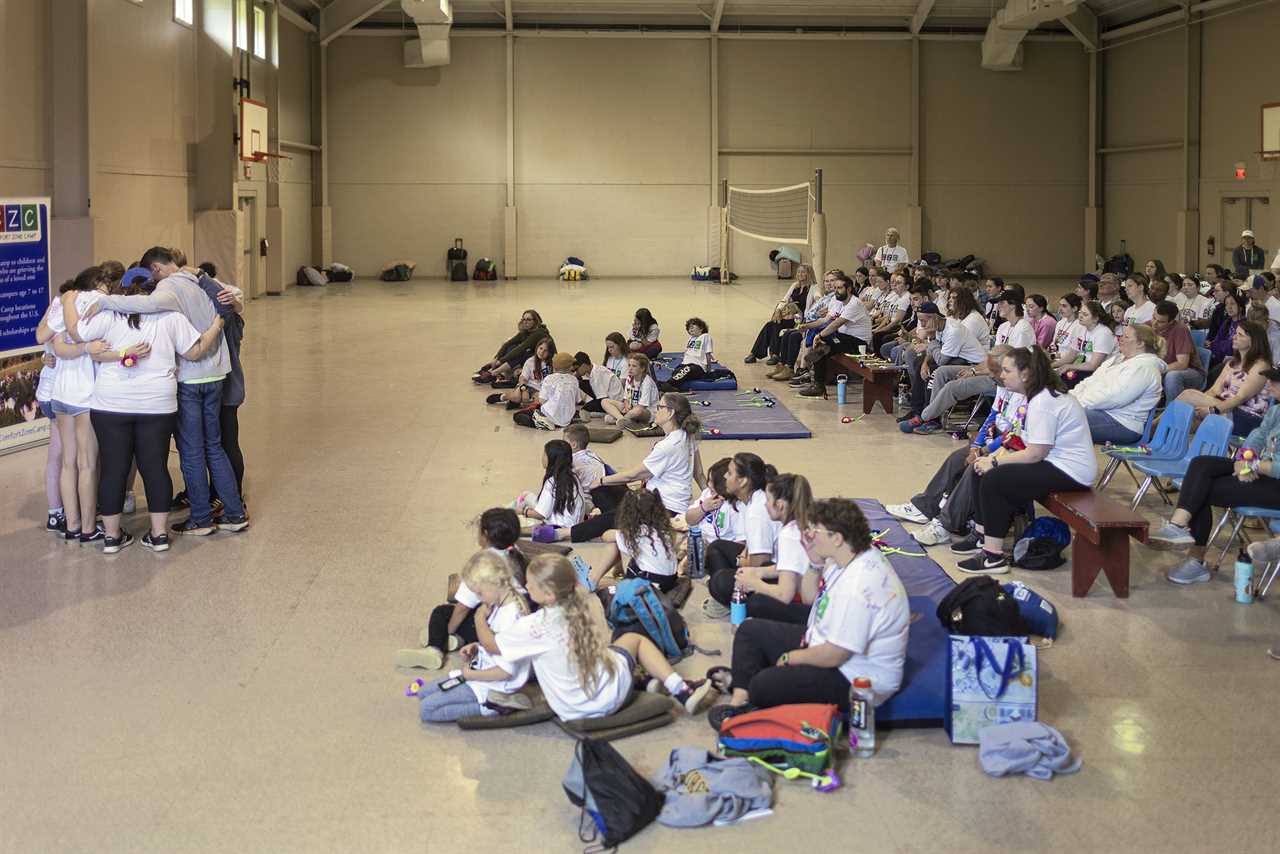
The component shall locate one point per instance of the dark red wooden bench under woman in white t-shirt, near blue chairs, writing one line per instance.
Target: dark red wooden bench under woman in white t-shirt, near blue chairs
(1101, 545)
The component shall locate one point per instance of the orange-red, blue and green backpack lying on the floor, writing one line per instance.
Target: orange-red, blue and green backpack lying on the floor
(798, 736)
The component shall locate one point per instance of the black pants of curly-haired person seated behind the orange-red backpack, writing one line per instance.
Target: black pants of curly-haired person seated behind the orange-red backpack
(757, 647)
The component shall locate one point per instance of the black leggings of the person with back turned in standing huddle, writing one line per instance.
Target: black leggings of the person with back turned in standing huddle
(121, 440)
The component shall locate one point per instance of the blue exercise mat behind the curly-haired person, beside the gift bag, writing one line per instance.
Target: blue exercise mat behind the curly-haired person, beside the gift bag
(922, 701)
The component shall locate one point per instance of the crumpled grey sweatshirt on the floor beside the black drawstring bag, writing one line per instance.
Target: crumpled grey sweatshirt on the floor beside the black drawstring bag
(701, 789)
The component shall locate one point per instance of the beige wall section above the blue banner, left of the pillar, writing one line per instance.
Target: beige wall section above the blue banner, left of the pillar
(25, 130)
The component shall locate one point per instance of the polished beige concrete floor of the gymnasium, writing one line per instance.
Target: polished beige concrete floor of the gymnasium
(237, 693)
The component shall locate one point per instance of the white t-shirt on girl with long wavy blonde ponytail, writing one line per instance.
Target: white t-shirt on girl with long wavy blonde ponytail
(543, 640)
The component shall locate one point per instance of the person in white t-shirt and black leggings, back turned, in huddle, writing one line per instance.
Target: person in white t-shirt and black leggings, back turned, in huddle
(134, 410)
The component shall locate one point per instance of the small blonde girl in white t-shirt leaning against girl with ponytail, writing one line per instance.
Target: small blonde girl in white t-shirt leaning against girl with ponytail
(491, 683)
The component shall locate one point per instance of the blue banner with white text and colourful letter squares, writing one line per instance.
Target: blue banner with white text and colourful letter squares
(25, 295)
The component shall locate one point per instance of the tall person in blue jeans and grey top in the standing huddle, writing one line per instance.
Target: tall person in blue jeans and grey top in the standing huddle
(200, 394)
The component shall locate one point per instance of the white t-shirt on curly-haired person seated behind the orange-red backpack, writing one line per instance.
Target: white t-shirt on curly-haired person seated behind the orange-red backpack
(863, 609)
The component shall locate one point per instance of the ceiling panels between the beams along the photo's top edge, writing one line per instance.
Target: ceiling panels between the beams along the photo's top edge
(774, 15)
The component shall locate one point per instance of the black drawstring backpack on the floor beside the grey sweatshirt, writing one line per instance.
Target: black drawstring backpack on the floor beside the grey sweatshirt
(605, 787)
